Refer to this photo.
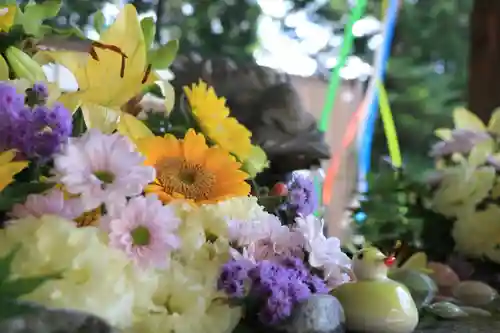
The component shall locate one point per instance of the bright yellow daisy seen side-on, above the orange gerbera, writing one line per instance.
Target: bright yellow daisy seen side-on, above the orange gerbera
(213, 117)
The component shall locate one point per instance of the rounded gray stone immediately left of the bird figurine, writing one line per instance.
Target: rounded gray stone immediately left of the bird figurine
(319, 314)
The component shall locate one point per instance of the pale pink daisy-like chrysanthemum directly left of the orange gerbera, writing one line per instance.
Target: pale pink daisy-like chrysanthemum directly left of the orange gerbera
(102, 168)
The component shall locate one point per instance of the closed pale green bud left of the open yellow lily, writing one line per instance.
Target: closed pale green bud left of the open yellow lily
(23, 65)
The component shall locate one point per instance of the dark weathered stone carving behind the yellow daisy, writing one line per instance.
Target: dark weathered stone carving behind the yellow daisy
(265, 101)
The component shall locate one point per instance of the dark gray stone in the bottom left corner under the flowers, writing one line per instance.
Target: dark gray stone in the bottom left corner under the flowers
(43, 320)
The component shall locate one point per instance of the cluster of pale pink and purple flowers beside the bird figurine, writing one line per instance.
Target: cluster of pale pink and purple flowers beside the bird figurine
(274, 267)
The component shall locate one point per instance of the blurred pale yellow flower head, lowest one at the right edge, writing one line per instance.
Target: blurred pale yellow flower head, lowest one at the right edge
(477, 233)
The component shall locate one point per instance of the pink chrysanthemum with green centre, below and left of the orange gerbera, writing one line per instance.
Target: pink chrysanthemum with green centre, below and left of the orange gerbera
(144, 229)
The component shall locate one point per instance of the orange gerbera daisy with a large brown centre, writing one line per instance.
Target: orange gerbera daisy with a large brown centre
(188, 169)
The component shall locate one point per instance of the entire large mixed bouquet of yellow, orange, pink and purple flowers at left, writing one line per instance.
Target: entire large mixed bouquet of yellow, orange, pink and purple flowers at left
(148, 224)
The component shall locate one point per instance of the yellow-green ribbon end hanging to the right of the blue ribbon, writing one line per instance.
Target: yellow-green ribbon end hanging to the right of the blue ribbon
(389, 127)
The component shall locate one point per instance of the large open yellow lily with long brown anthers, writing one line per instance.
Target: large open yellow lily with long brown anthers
(106, 79)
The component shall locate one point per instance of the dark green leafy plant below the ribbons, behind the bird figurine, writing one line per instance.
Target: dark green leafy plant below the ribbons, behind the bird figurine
(397, 208)
